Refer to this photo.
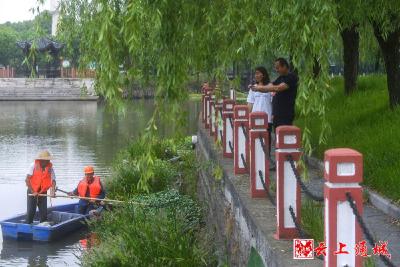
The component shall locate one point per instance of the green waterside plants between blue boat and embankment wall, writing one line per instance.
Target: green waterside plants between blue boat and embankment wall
(161, 228)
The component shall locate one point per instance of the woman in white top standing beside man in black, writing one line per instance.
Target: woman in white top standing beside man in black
(258, 101)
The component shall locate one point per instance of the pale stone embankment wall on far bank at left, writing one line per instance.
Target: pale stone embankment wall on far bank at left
(47, 89)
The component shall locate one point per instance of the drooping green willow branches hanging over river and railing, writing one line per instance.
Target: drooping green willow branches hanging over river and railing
(163, 40)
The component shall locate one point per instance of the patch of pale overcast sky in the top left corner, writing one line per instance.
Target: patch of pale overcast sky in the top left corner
(18, 10)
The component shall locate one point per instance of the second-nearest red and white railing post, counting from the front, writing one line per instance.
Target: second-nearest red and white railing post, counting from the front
(288, 191)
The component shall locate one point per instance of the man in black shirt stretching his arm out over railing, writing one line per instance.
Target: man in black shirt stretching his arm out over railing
(285, 86)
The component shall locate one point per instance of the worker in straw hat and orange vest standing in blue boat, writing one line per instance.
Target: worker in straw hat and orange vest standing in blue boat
(39, 179)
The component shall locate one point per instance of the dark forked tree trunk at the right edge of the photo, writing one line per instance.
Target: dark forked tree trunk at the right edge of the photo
(390, 48)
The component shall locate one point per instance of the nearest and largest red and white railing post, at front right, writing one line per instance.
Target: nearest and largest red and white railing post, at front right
(343, 173)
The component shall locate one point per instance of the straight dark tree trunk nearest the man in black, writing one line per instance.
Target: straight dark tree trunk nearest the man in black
(351, 40)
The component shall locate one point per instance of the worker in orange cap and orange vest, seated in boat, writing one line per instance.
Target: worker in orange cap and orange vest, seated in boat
(89, 186)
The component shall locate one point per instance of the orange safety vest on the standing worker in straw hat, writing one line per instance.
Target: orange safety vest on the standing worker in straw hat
(41, 180)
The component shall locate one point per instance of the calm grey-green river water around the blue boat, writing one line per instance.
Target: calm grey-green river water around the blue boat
(77, 134)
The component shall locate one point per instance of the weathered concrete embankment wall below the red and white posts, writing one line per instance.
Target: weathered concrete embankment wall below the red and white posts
(234, 219)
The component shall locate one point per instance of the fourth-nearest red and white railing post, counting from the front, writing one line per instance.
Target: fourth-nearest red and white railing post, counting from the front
(241, 142)
